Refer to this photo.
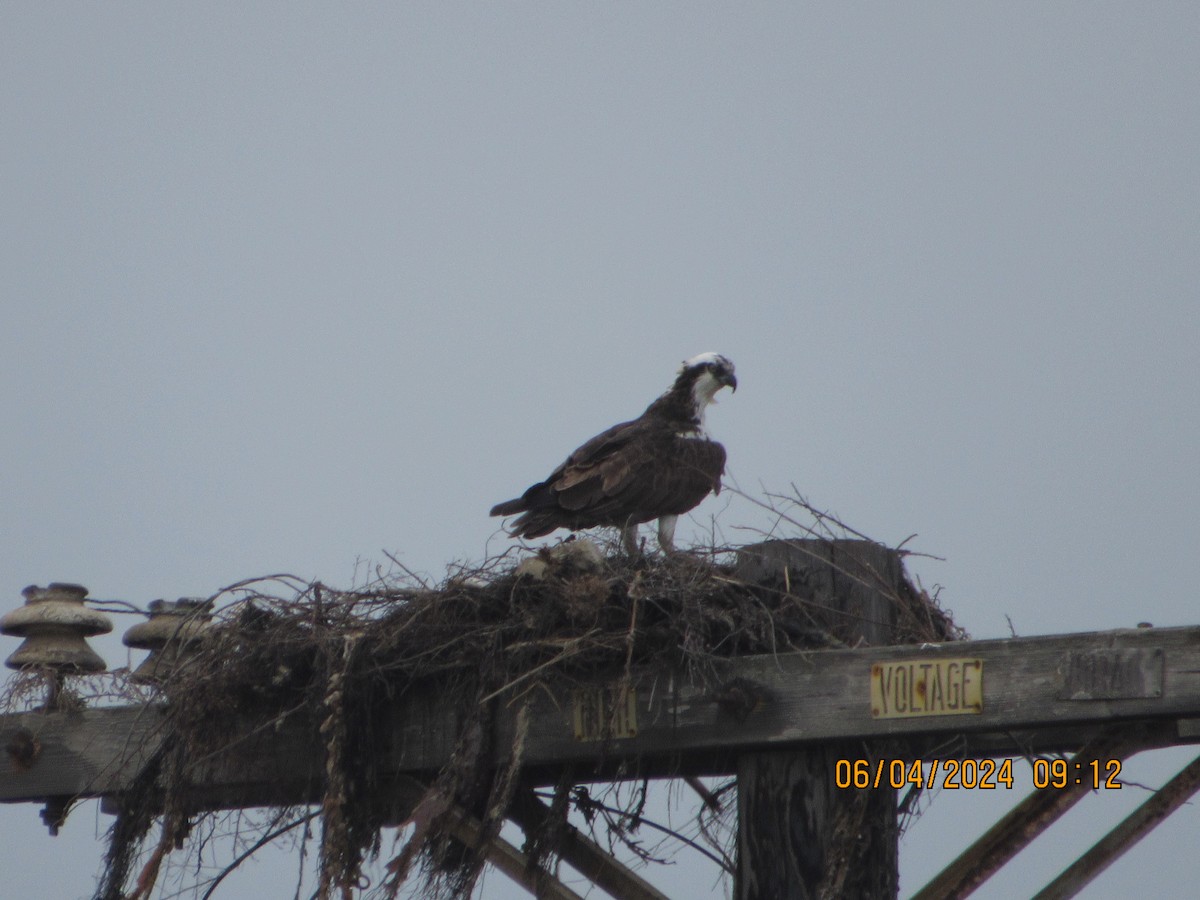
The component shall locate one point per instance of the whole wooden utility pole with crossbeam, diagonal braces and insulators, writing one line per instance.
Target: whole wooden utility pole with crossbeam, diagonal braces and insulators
(788, 724)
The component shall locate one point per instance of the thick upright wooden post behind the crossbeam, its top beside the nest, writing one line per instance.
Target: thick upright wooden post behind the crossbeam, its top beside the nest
(800, 838)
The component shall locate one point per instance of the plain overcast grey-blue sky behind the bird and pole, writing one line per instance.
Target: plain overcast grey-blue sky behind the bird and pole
(290, 286)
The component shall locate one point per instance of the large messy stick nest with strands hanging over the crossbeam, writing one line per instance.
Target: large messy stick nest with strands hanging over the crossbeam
(281, 650)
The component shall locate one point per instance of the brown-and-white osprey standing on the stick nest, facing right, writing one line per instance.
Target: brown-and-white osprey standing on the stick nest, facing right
(658, 466)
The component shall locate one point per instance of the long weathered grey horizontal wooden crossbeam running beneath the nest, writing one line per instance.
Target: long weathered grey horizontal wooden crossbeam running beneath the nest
(1040, 694)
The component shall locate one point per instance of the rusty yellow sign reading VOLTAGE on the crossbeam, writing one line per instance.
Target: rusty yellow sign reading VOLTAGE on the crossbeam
(925, 687)
